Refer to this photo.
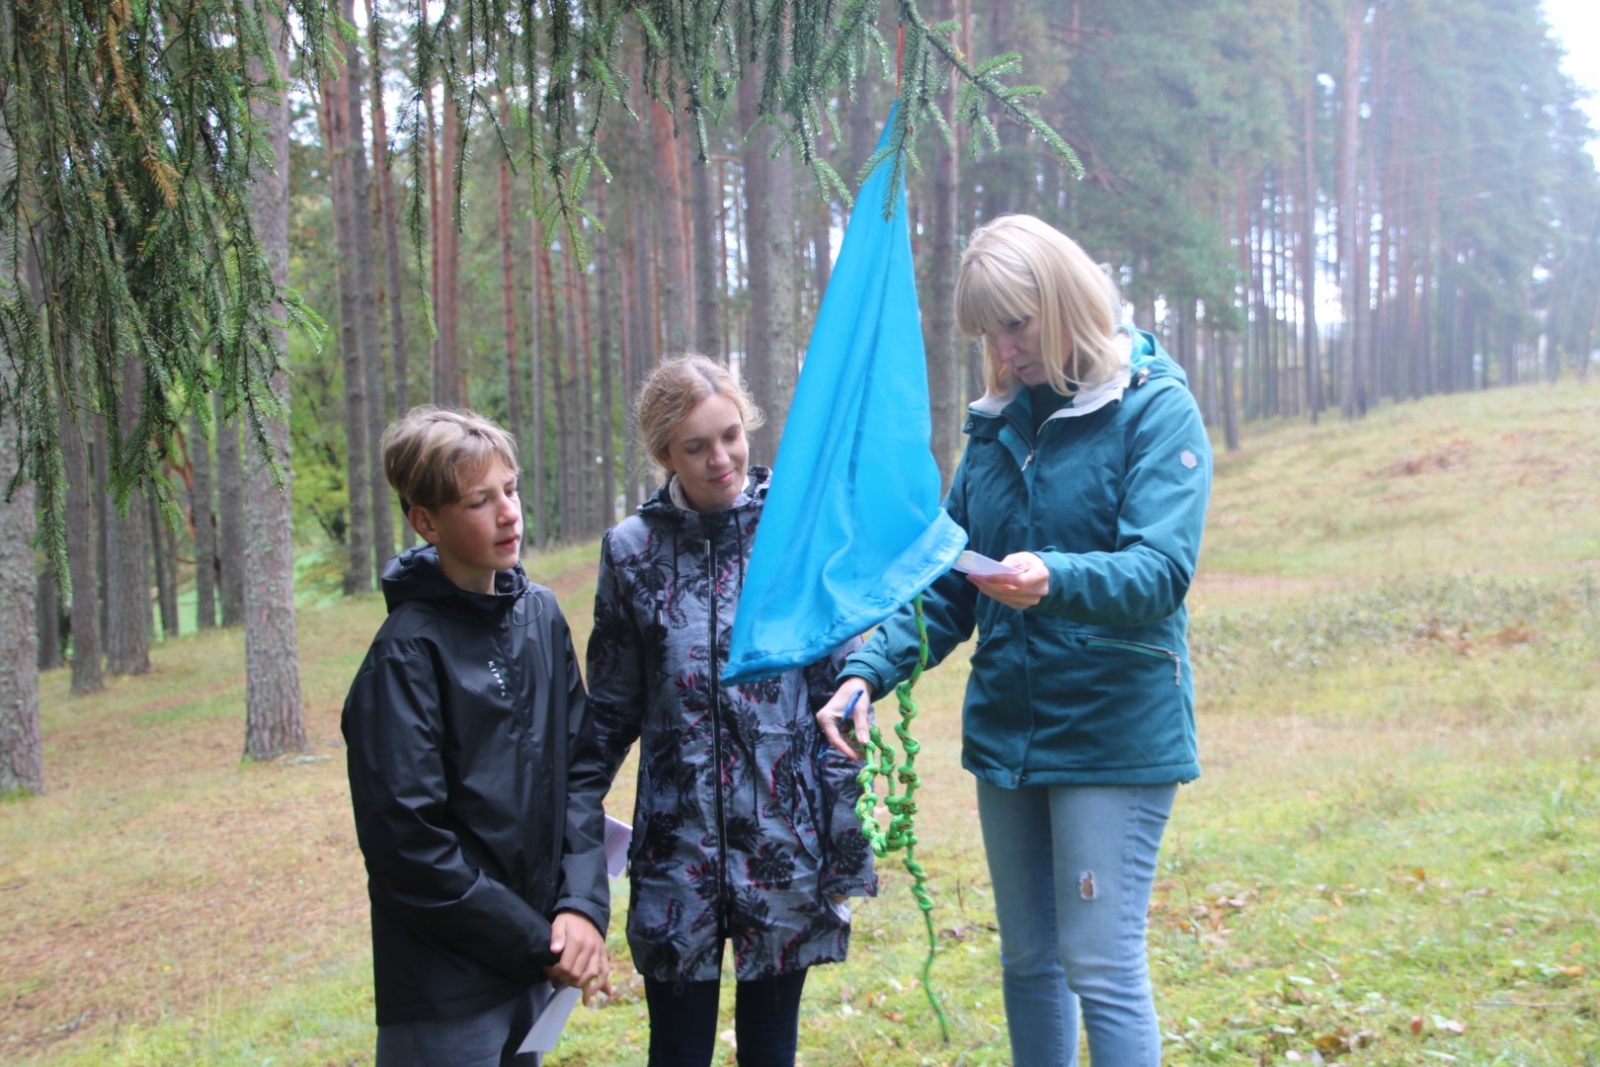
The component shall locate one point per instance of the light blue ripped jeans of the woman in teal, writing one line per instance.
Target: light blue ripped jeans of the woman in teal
(1071, 869)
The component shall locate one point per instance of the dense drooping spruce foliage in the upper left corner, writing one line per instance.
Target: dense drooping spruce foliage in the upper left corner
(129, 212)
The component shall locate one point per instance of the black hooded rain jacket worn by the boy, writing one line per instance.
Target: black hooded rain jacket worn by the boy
(478, 789)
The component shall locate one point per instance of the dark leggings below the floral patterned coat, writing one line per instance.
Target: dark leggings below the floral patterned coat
(766, 1021)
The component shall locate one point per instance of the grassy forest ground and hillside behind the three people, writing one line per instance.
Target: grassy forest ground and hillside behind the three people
(1391, 857)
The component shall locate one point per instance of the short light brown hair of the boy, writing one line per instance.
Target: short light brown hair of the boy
(431, 452)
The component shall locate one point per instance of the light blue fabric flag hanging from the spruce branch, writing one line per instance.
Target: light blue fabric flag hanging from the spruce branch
(852, 529)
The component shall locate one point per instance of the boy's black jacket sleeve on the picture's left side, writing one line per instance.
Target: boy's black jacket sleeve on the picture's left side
(417, 857)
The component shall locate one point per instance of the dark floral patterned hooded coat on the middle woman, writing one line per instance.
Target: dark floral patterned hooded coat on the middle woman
(743, 823)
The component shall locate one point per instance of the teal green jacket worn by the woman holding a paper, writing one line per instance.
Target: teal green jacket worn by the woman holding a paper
(1094, 684)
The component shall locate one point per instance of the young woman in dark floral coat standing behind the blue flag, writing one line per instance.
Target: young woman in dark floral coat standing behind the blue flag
(745, 833)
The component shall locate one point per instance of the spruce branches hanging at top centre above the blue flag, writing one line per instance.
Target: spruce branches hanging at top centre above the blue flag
(562, 60)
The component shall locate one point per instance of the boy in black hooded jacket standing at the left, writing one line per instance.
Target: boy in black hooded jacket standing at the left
(473, 767)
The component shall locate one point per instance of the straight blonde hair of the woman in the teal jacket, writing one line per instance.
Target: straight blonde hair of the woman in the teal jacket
(1017, 268)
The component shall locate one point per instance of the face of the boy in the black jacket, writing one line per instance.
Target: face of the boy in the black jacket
(478, 535)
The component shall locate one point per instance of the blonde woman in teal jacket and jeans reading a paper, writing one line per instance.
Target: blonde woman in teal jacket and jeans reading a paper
(1087, 471)
